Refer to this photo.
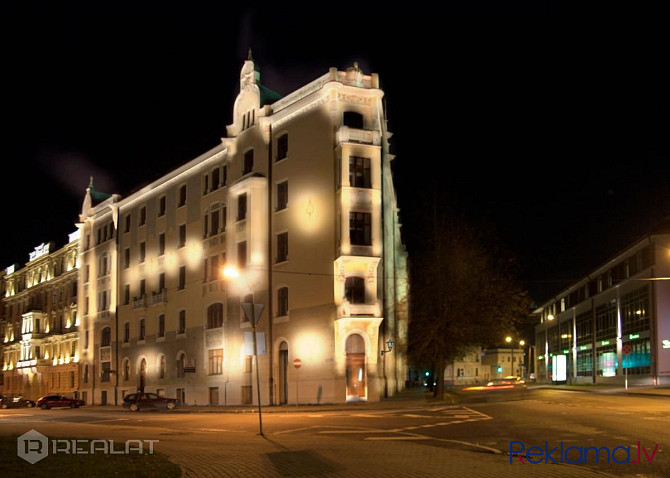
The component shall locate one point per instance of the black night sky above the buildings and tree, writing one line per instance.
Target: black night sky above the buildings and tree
(550, 118)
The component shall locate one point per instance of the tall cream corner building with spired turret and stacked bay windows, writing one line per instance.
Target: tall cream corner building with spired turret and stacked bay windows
(299, 198)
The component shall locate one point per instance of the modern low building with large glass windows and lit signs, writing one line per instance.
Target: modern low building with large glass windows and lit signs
(614, 324)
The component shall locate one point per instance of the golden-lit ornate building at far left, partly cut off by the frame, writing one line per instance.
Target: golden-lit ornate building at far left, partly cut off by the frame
(39, 325)
